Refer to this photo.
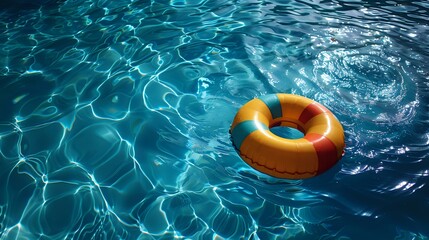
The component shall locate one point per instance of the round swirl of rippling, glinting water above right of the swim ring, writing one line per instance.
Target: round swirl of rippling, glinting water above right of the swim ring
(369, 86)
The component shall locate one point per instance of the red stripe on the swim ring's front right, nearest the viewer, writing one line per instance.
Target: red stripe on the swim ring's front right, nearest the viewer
(325, 149)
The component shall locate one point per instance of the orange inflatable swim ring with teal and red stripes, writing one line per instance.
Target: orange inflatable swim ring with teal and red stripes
(320, 148)
